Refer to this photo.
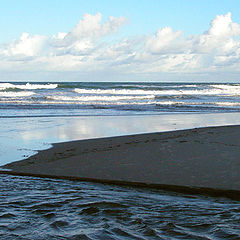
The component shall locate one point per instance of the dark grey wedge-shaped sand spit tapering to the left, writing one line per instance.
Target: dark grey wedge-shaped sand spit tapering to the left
(196, 158)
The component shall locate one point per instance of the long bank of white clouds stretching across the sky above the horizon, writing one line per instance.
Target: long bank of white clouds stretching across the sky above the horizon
(89, 49)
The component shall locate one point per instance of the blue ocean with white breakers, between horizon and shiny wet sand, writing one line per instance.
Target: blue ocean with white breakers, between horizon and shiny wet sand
(63, 99)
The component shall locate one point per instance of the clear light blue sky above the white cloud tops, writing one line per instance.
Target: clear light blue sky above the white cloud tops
(48, 17)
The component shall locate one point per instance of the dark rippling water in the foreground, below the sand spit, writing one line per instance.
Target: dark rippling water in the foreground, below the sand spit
(34, 208)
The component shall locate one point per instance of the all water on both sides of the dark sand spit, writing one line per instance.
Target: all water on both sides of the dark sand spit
(34, 115)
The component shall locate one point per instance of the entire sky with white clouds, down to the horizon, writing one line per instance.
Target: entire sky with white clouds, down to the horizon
(127, 40)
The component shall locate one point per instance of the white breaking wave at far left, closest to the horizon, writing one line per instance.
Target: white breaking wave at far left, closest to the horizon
(27, 86)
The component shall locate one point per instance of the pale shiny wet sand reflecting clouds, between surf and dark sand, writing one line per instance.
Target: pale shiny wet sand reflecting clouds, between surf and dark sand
(20, 137)
